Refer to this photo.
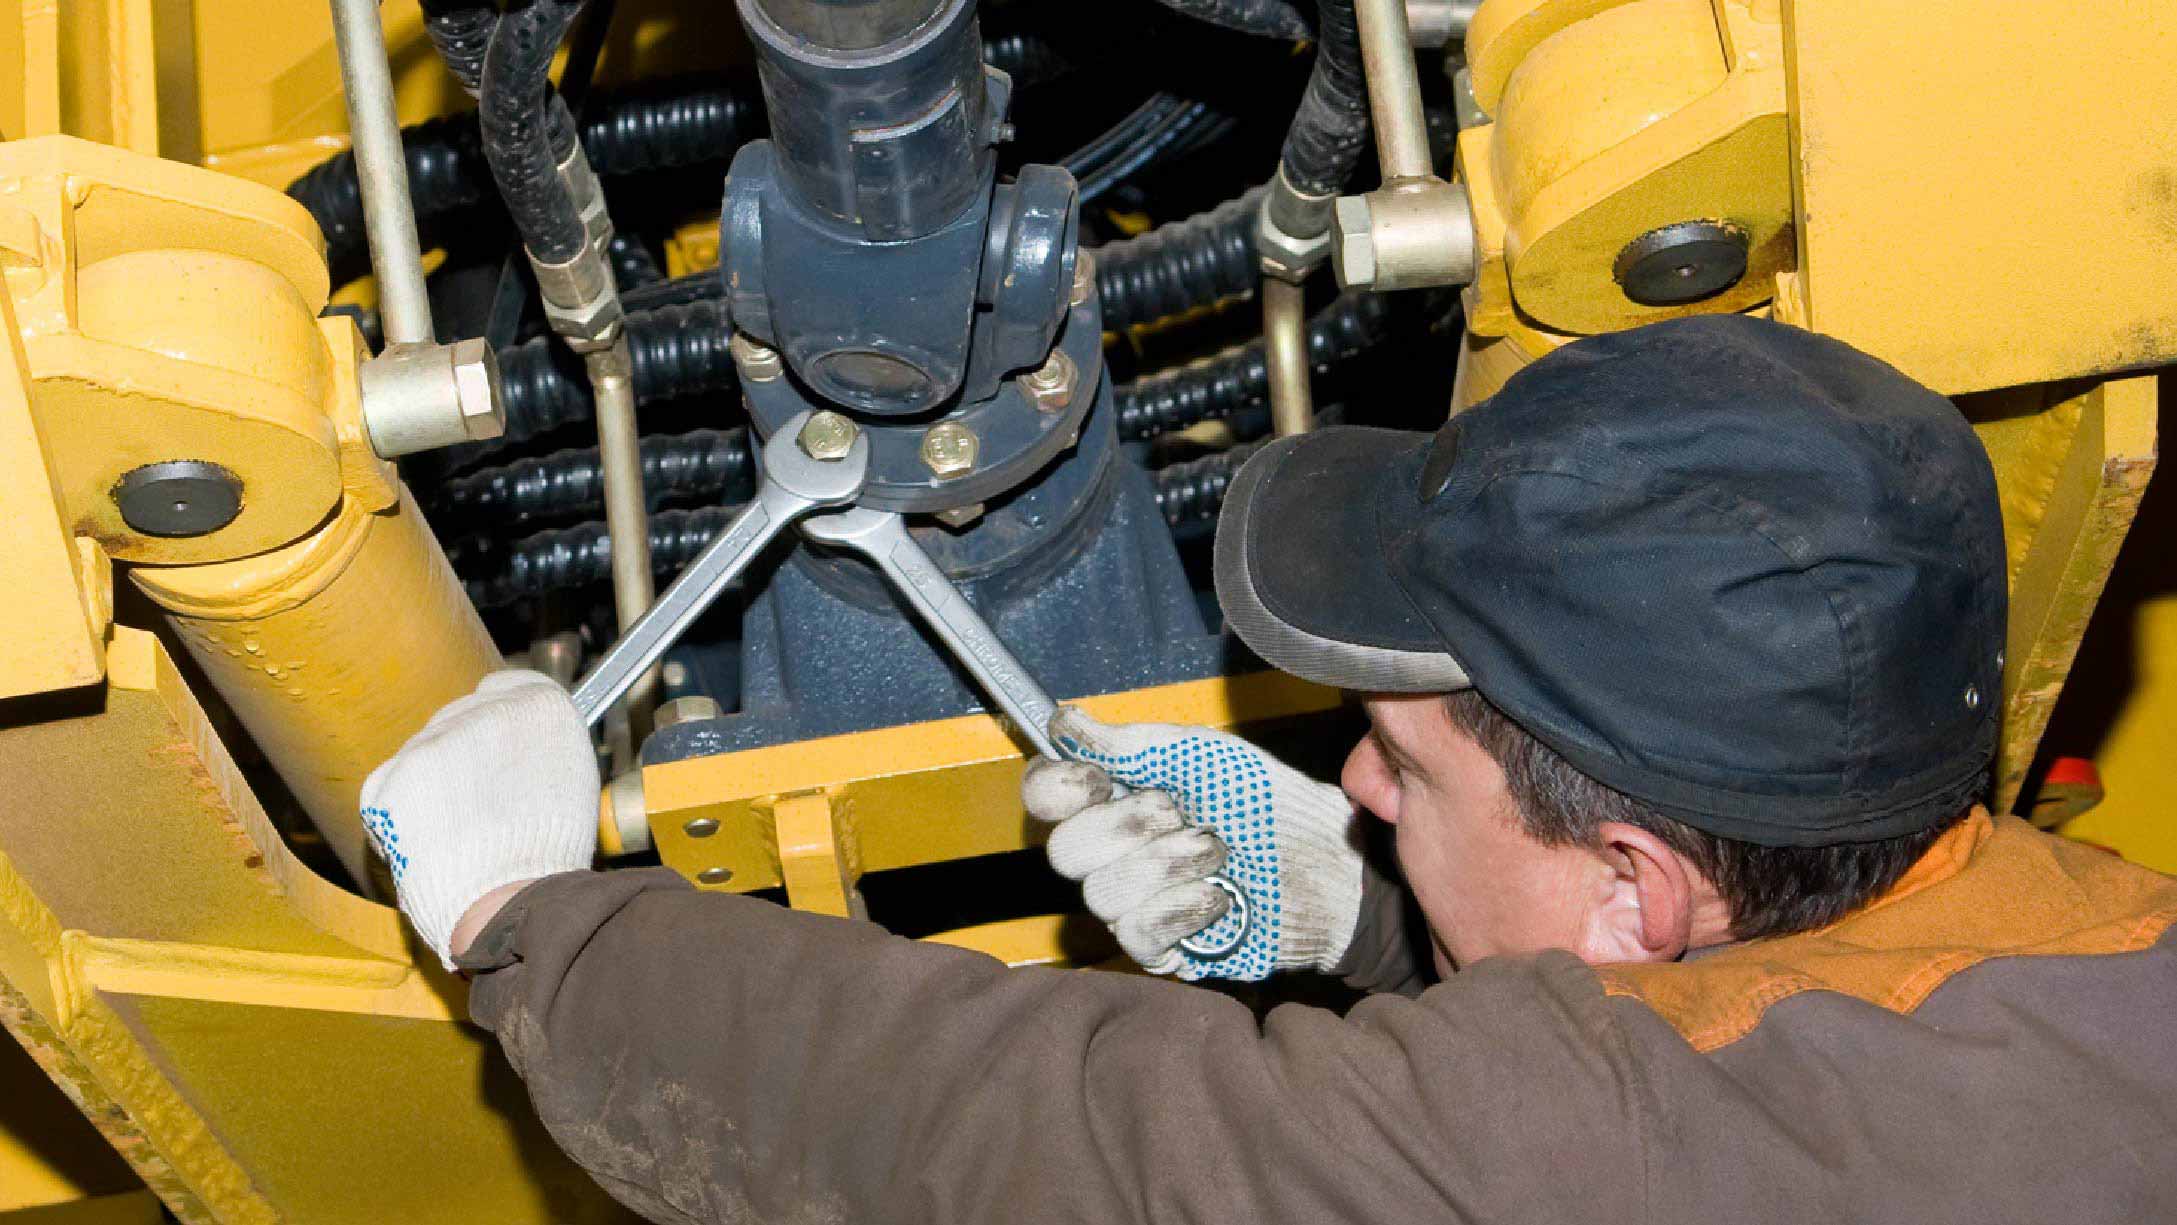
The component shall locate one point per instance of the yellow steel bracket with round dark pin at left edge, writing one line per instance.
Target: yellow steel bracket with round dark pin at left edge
(173, 314)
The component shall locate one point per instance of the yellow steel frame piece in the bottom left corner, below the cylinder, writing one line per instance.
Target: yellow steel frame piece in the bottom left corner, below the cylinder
(251, 1039)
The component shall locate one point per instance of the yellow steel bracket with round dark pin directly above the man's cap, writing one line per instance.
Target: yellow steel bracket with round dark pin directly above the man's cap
(1612, 121)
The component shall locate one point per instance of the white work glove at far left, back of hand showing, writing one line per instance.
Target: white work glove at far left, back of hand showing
(497, 789)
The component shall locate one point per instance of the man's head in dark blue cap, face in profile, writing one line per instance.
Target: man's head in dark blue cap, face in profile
(1688, 634)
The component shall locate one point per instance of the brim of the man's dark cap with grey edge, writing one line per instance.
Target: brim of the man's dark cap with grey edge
(1305, 569)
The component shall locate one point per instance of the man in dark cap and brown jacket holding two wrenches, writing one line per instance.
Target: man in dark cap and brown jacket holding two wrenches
(1682, 658)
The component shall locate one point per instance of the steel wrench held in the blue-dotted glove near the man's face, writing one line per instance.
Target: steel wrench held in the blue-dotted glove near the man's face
(883, 536)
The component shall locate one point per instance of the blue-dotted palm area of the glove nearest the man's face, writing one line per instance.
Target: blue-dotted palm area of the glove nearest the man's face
(1225, 789)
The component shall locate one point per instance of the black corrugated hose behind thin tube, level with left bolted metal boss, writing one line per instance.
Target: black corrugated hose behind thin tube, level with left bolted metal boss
(676, 351)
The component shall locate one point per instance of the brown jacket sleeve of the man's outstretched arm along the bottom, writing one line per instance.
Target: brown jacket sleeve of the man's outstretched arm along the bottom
(719, 1059)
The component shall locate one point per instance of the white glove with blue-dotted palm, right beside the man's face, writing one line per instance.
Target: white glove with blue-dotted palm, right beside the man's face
(1205, 802)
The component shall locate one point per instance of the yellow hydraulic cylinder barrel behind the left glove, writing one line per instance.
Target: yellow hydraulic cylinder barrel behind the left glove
(332, 652)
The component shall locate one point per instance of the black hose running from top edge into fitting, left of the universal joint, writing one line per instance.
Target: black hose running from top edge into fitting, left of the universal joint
(519, 123)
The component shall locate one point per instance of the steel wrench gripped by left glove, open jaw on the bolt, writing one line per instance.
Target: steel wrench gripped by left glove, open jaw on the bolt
(791, 484)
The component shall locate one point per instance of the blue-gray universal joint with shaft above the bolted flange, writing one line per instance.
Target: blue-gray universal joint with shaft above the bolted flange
(868, 240)
